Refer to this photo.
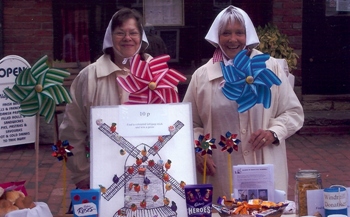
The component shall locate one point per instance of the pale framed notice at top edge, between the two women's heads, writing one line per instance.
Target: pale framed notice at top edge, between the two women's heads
(163, 12)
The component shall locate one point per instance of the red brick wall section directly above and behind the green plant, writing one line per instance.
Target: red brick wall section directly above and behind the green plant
(287, 15)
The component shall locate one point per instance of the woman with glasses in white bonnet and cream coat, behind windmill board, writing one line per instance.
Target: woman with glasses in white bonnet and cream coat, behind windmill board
(96, 85)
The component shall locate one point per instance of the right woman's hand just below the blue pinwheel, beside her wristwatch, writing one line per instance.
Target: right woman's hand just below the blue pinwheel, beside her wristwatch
(261, 138)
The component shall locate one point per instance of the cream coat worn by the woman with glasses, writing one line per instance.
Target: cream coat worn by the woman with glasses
(96, 85)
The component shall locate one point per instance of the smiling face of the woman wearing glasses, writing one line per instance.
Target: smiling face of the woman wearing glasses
(127, 38)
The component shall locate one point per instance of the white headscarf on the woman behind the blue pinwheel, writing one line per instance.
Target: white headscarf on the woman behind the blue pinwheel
(252, 39)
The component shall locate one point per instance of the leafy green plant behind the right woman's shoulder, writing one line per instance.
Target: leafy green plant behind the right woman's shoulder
(276, 44)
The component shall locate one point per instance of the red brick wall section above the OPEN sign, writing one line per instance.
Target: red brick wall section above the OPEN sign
(28, 28)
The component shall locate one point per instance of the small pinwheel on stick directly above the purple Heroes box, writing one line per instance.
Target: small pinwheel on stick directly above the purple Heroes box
(204, 145)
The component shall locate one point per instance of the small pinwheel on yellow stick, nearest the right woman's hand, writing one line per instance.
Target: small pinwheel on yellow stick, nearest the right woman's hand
(229, 143)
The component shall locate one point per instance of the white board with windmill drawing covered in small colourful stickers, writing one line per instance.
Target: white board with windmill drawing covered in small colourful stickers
(133, 168)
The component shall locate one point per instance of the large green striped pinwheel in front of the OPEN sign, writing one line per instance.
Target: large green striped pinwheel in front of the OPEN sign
(39, 89)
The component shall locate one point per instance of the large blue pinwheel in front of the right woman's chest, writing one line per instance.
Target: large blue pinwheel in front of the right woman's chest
(248, 82)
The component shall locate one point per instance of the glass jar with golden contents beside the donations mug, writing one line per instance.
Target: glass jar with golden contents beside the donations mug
(305, 180)
